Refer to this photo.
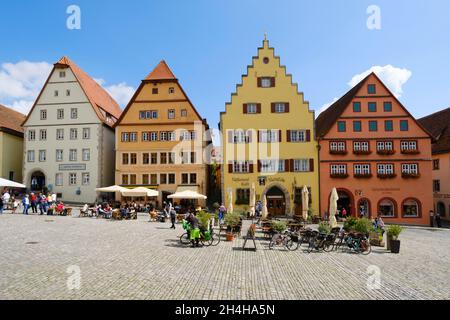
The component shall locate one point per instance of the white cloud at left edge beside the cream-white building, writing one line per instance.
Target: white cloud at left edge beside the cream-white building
(21, 82)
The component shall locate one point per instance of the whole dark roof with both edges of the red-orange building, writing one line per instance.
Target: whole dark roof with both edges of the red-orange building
(327, 118)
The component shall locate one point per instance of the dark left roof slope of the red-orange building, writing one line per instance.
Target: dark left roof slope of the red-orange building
(329, 117)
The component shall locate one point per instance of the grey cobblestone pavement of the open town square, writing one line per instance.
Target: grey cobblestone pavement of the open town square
(143, 260)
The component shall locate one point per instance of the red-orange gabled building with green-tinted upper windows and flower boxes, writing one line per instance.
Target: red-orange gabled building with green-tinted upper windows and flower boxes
(376, 155)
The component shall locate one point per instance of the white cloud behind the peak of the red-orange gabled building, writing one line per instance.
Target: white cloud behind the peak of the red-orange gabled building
(394, 78)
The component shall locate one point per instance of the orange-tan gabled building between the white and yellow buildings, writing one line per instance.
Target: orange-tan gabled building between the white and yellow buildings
(160, 138)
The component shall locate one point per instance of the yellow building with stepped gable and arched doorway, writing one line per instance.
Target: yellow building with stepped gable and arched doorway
(268, 140)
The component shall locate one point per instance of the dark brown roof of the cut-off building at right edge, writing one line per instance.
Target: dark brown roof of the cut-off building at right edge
(439, 125)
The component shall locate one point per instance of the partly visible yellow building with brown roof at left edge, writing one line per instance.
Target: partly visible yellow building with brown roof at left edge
(11, 144)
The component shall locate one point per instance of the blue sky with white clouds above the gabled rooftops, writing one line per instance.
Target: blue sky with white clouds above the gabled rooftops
(327, 45)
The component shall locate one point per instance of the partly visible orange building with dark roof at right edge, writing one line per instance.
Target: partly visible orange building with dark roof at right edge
(439, 125)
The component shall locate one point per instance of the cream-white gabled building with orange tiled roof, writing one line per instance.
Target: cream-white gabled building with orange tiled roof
(69, 139)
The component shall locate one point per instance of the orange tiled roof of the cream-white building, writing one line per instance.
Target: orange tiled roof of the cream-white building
(99, 98)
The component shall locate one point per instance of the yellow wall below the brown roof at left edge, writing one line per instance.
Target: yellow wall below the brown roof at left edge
(11, 154)
